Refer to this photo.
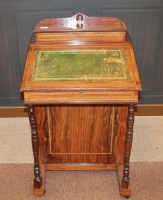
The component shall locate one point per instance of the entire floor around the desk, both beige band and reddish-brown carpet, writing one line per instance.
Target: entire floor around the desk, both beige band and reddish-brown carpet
(146, 174)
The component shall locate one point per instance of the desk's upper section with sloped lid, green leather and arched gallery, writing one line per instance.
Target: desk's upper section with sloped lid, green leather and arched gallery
(80, 60)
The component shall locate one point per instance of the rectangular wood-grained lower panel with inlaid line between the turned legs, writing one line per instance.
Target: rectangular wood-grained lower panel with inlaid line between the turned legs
(82, 134)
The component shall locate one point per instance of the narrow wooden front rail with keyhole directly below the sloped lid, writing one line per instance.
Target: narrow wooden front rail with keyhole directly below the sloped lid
(81, 97)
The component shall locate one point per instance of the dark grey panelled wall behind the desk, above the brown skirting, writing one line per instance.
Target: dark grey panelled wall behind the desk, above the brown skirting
(143, 17)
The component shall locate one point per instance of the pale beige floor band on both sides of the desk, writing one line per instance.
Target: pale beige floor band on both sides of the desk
(15, 142)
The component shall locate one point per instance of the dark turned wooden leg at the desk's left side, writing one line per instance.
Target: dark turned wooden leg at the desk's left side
(35, 146)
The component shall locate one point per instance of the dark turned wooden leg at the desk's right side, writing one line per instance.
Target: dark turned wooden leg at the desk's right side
(129, 136)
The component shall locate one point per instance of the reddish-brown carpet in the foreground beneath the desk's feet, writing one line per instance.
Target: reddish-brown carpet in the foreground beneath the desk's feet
(146, 179)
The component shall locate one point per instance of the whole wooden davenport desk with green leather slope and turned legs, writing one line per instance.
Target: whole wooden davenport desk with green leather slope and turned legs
(81, 84)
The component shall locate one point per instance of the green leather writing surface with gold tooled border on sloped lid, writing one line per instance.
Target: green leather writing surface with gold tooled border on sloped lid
(84, 65)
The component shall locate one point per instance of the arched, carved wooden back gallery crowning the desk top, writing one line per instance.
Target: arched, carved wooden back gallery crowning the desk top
(81, 22)
